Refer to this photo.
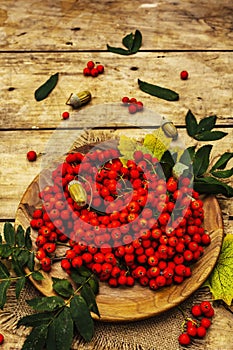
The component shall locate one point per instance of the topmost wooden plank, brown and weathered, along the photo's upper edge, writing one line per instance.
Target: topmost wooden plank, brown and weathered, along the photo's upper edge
(76, 25)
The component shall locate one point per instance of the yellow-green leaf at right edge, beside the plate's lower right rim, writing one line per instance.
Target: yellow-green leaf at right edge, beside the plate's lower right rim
(220, 281)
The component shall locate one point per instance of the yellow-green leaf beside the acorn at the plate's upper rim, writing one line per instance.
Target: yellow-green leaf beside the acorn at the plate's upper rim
(157, 143)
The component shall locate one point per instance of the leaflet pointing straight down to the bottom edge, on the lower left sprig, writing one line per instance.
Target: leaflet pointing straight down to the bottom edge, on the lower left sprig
(63, 324)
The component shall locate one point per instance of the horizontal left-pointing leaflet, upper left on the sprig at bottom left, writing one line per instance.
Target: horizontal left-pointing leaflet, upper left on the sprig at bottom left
(46, 303)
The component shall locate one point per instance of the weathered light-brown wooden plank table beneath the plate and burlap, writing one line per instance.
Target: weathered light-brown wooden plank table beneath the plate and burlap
(40, 38)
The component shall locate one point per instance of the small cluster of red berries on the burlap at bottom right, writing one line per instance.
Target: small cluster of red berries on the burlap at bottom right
(197, 328)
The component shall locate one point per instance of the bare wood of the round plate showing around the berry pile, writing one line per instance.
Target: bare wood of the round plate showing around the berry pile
(130, 304)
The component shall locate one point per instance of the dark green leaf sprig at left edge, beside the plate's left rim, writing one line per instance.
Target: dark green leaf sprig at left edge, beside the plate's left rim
(17, 249)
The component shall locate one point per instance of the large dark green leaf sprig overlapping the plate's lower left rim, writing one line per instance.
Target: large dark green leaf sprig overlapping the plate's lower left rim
(56, 319)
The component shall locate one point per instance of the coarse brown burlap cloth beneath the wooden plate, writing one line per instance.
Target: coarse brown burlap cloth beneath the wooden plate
(156, 333)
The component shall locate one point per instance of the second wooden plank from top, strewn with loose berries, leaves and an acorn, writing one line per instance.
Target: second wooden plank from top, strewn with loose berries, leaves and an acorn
(207, 91)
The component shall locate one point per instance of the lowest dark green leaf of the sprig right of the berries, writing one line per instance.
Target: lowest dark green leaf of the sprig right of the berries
(211, 185)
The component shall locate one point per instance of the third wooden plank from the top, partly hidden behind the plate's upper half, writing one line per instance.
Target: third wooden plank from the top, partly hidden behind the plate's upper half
(17, 173)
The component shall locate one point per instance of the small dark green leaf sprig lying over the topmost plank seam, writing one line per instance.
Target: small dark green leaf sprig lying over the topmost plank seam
(131, 41)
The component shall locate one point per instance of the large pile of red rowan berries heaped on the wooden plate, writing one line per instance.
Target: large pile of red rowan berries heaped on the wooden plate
(135, 226)
